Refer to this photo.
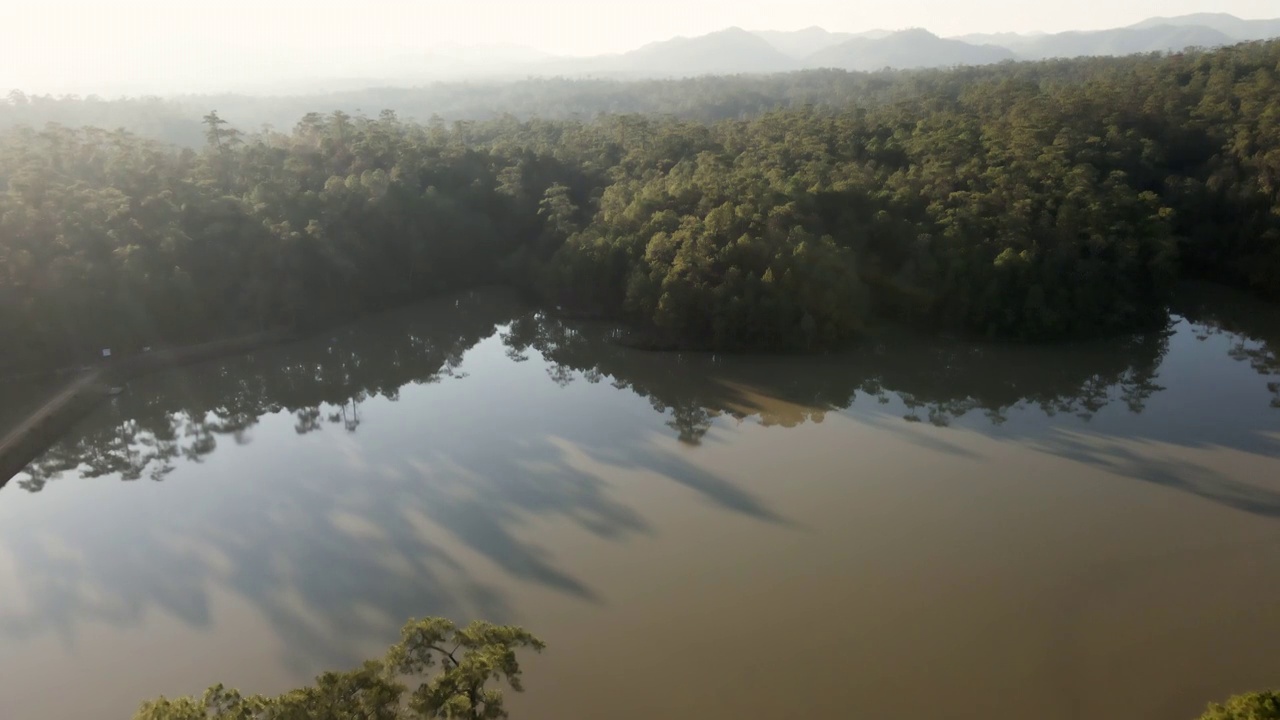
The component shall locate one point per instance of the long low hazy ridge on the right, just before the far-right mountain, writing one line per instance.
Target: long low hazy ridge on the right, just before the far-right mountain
(1124, 42)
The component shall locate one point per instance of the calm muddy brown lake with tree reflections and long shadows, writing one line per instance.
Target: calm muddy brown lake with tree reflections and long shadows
(912, 528)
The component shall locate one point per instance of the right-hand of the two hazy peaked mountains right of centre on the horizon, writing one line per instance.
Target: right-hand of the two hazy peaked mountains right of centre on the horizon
(907, 49)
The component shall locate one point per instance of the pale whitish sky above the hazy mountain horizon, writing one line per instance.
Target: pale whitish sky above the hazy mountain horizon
(81, 45)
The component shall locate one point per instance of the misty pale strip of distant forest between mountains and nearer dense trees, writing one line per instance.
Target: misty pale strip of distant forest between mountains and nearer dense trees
(702, 99)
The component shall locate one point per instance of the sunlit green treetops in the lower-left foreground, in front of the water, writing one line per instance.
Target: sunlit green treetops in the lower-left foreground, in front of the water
(468, 660)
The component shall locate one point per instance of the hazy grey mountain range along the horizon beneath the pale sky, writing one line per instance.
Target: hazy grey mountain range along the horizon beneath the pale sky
(729, 52)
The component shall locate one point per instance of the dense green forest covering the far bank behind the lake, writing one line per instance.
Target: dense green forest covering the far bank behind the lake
(1039, 202)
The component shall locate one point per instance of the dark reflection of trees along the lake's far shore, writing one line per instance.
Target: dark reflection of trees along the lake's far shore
(143, 435)
